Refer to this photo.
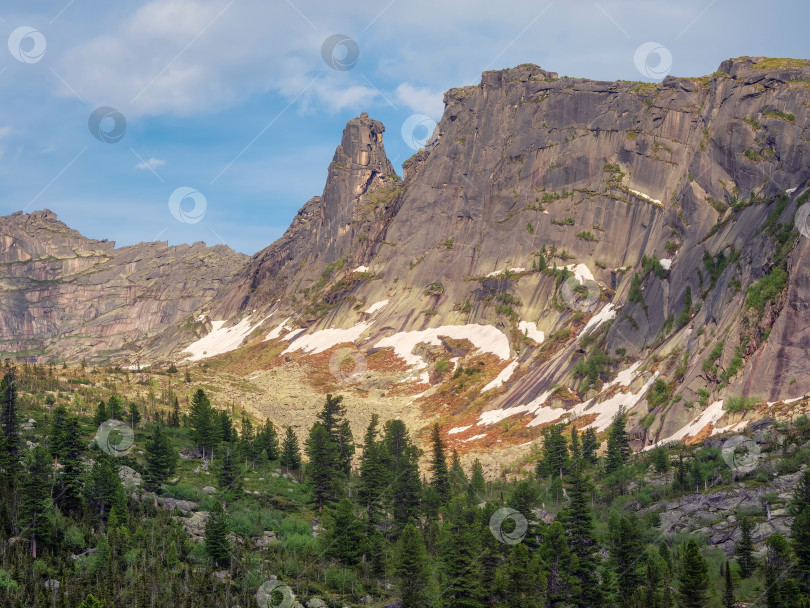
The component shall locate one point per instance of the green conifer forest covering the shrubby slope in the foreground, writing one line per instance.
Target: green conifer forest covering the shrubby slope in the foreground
(114, 500)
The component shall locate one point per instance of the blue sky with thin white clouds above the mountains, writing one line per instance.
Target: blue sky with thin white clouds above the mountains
(236, 98)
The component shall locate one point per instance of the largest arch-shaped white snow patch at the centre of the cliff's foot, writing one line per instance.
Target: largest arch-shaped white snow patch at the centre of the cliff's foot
(484, 337)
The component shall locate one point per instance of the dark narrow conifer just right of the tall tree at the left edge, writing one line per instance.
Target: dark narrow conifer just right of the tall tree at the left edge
(36, 510)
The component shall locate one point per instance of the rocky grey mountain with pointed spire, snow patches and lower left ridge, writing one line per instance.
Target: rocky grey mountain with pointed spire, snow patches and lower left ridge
(561, 248)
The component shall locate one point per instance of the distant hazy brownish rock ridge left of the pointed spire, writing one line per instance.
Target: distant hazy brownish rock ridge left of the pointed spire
(68, 297)
